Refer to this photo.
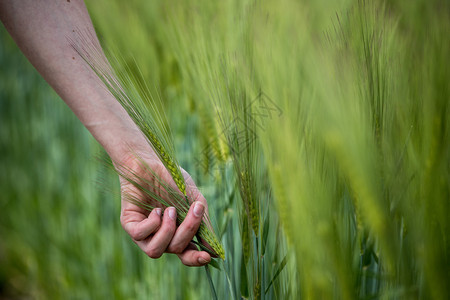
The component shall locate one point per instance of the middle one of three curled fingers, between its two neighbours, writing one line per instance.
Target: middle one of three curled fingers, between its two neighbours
(158, 244)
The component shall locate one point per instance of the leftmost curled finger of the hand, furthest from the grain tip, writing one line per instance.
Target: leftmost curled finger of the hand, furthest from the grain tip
(142, 227)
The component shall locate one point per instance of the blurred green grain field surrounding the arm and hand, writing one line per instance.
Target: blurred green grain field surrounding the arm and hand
(318, 131)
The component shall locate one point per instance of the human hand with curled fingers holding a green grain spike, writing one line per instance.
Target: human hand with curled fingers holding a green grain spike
(157, 232)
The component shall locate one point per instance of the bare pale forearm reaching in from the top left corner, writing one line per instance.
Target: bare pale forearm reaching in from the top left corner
(41, 30)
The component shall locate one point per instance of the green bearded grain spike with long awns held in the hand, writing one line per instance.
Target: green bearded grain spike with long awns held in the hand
(134, 96)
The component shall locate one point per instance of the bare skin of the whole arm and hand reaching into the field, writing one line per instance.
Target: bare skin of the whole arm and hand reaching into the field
(41, 30)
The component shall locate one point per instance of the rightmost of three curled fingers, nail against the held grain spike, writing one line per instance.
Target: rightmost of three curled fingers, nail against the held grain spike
(187, 229)
